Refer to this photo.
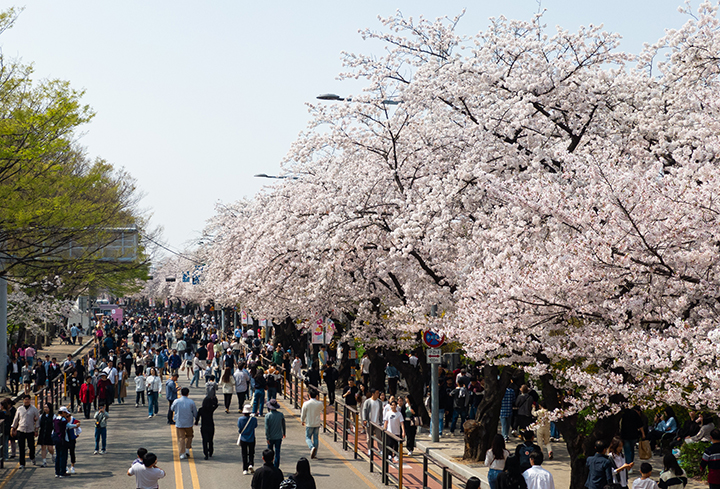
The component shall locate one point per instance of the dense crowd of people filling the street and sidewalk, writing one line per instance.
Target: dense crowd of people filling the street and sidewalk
(151, 352)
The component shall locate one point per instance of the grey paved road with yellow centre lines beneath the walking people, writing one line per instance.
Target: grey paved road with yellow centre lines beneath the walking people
(129, 428)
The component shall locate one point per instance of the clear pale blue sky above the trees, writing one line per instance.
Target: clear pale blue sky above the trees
(194, 98)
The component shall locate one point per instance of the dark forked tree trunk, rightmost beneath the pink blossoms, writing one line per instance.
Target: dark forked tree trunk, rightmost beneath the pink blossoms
(579, 445)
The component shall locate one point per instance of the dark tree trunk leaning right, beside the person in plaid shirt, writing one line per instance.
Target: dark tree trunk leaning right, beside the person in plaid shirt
(479, 432)
